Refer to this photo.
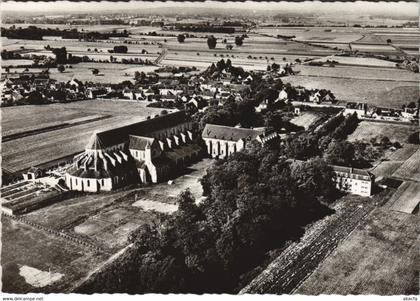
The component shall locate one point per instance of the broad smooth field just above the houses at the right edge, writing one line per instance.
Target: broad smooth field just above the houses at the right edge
(391, 94)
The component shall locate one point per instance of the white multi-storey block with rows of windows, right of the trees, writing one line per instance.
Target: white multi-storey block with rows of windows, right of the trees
(353, 180)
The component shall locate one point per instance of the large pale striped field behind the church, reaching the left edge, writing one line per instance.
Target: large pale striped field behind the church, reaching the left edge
(32, 150)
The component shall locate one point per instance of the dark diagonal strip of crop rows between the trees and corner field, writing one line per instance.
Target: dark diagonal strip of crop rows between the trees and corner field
(285, 273)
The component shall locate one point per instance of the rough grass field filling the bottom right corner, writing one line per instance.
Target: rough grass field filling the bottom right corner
(377, 258)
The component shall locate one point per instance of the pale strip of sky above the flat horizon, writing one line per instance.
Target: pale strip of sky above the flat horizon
(358, 7)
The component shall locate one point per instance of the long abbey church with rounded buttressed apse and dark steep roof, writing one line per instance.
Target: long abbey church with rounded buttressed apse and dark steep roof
(147, 151)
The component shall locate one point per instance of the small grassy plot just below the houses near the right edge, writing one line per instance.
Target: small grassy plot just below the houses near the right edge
(367, 130)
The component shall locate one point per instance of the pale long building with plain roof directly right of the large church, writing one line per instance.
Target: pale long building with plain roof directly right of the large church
(222, 141)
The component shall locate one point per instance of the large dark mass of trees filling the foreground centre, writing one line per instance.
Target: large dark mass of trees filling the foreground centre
(256, 201)
